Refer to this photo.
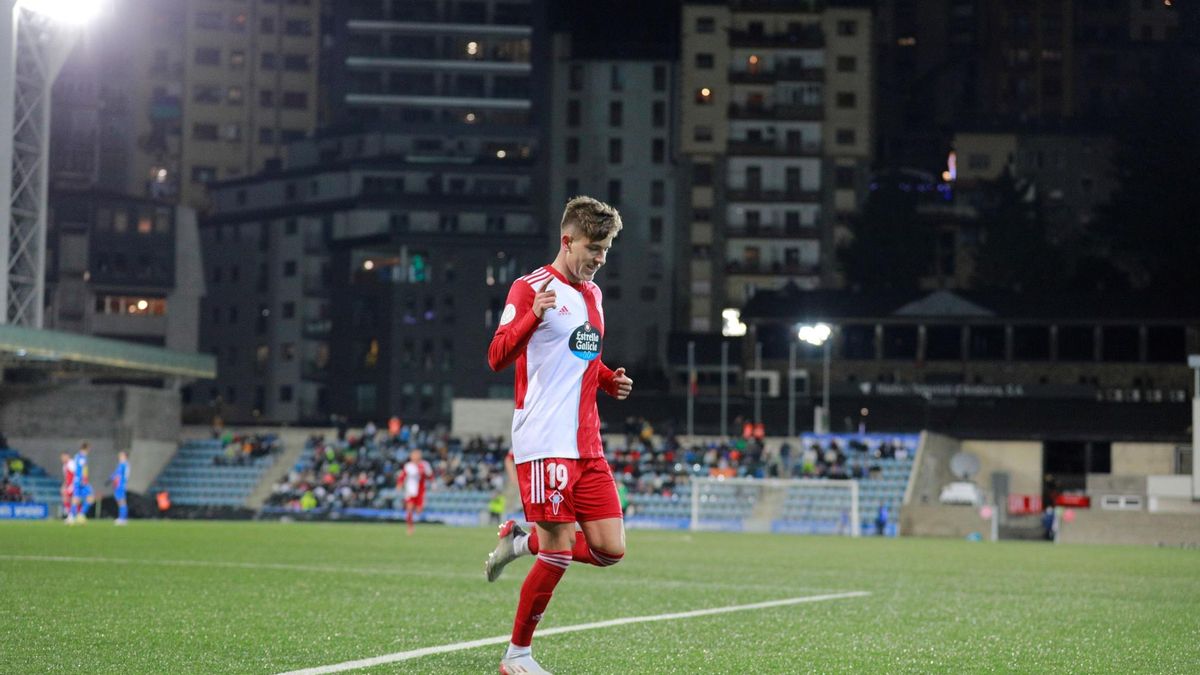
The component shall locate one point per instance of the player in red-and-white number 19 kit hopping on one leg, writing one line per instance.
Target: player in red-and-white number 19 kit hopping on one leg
(551, 331)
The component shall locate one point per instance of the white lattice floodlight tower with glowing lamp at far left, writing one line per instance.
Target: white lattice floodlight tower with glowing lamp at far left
(37, 37)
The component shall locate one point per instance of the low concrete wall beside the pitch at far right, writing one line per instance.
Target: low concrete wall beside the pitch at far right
(1094, 527)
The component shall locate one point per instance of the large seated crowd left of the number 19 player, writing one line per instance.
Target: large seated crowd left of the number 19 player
(362, 470)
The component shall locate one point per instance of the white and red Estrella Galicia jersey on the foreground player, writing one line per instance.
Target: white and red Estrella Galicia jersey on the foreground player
(559, 368)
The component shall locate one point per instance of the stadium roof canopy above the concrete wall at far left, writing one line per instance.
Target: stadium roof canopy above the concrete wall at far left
(69, 354)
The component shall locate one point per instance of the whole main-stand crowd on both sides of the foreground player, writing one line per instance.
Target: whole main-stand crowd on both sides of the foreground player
(361, 470)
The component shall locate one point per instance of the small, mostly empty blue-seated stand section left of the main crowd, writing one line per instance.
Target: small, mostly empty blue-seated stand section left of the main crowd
(219, 471)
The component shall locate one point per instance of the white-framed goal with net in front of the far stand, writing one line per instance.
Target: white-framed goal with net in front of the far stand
(802, 506)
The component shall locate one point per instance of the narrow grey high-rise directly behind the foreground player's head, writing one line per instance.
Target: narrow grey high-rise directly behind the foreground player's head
(613, 138)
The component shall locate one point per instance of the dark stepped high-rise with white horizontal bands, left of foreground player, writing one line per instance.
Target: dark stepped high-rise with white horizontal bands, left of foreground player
(382, 252)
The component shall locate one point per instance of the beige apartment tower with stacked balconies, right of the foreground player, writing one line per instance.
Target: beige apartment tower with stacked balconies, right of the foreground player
(777, 130)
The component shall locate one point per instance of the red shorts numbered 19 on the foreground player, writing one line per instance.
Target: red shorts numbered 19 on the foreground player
(568, 491)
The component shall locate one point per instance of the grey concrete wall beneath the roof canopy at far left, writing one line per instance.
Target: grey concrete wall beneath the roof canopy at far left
(41, 422)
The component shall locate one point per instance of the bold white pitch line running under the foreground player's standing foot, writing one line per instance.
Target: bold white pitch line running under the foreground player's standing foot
(575, 629)
